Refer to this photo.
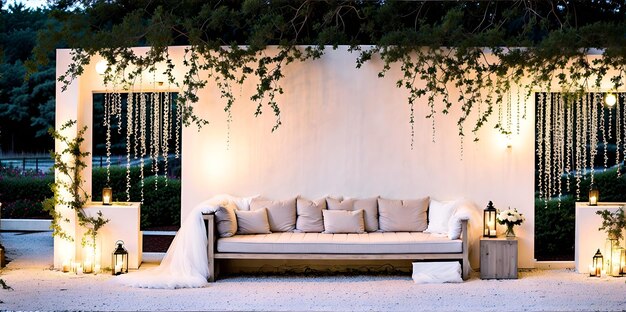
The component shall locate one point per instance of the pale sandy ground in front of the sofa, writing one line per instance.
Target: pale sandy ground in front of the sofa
(37, 287)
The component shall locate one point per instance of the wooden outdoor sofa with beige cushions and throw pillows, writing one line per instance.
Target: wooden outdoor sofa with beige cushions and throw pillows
(334, 229)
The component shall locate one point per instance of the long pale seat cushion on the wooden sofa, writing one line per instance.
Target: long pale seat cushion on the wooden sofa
(318, 243)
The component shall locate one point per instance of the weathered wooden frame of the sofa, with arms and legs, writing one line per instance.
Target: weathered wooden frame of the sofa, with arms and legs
(214, 256)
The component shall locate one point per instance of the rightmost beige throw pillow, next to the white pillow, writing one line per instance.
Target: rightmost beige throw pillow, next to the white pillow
(403, 215)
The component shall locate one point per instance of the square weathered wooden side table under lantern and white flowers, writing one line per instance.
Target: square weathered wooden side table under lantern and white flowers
(498, 258)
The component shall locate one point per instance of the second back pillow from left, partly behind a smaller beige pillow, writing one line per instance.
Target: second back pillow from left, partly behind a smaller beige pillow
(281, 214)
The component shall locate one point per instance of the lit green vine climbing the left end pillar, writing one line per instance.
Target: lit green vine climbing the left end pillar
(69, 164)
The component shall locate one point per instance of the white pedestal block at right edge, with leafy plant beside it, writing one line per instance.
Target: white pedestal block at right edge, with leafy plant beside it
(588, 238)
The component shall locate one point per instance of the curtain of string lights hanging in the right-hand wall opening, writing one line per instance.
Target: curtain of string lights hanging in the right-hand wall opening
(573, 136)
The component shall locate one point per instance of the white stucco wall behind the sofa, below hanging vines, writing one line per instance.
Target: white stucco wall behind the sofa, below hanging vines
(345, 132)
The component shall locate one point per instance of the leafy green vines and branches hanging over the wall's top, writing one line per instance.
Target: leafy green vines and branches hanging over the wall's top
(438, 46)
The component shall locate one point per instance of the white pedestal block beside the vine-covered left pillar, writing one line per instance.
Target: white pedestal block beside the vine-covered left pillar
(124, 220)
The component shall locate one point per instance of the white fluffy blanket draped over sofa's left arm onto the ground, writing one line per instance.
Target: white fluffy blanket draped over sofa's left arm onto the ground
(185, 265)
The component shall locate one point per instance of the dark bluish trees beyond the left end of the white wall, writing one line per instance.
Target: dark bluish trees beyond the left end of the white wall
(27, 103)
